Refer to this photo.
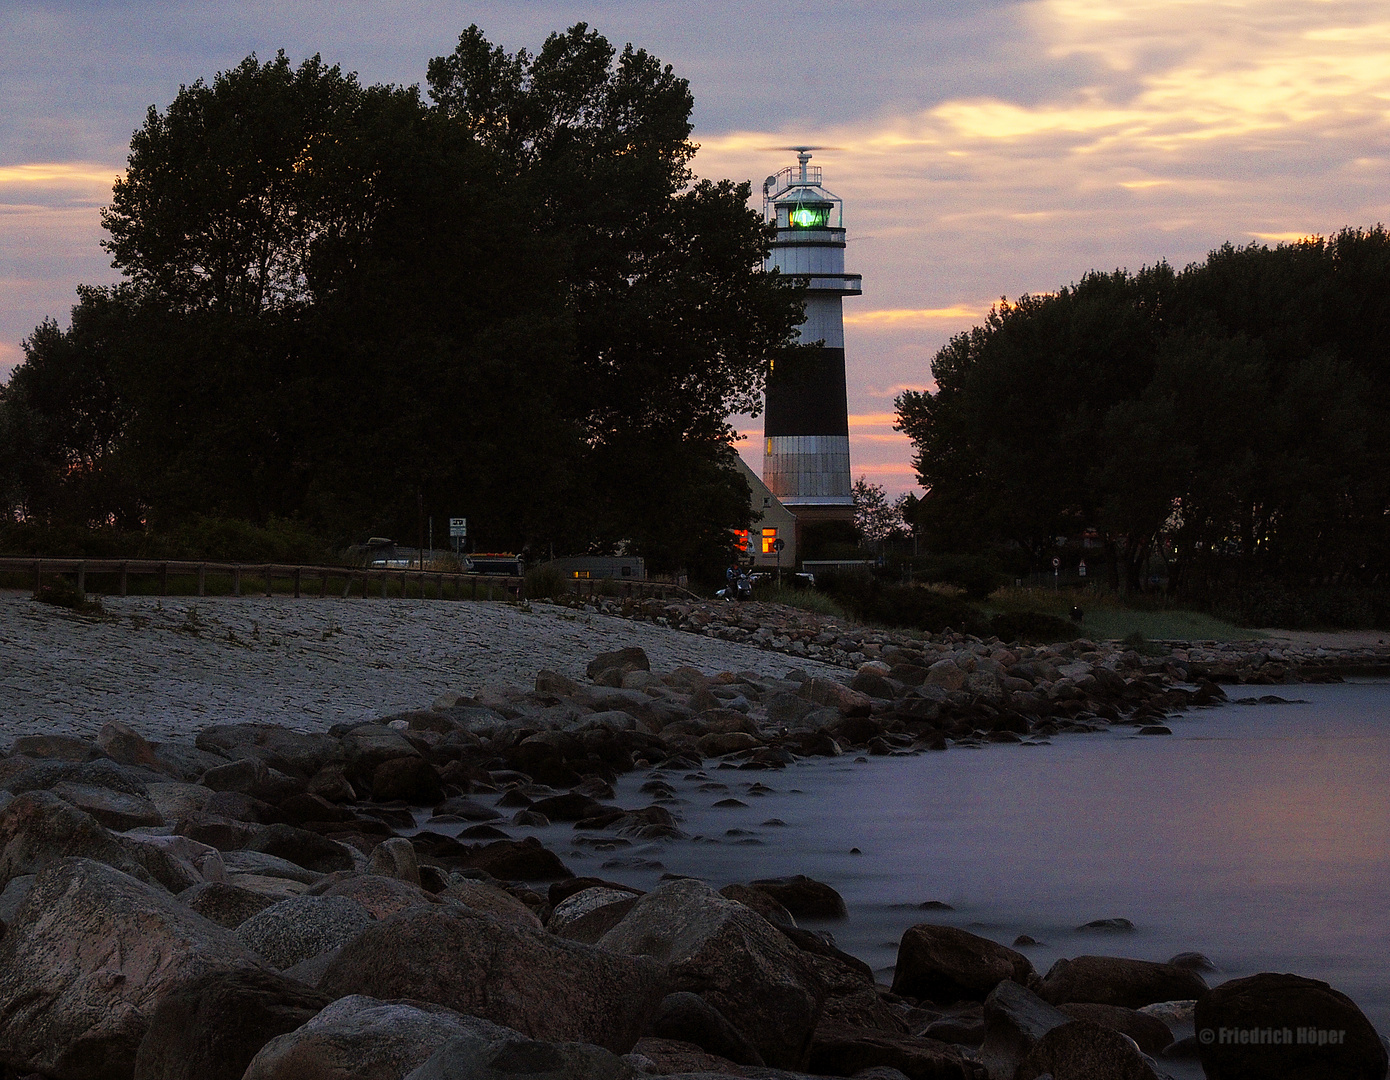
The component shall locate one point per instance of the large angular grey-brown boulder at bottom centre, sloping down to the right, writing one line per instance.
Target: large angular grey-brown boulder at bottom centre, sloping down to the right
(733, 958)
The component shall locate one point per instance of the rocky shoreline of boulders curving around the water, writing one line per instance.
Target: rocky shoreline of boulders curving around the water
(272, 904)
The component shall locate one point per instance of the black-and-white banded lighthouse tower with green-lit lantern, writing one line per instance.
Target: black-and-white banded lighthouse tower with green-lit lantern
(807, 418)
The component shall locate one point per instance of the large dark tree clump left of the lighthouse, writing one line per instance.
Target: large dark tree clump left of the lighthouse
(348, 306)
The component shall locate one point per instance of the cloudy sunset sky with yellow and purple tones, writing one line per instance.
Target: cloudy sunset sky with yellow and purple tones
(985, 149)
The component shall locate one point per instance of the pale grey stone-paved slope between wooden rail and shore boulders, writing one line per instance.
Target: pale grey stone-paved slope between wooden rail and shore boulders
(173, 666)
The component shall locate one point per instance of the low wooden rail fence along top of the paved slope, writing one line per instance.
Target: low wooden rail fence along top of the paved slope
(302, 579)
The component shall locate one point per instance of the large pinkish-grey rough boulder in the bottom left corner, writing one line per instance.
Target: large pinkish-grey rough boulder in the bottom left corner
(84, 964)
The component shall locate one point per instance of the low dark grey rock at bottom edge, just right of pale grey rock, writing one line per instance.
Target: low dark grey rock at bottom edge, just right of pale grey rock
(518, 1058)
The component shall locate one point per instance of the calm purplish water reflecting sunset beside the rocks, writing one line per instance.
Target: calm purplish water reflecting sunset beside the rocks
(1256, 835)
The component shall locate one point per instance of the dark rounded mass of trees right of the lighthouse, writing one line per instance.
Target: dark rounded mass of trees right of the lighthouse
(1227, 429)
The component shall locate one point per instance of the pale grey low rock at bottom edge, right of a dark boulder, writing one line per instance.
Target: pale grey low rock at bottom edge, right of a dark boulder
(362, 1039)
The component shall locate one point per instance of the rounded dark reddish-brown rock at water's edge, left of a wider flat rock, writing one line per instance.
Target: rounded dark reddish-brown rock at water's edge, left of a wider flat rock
(945, 964)
